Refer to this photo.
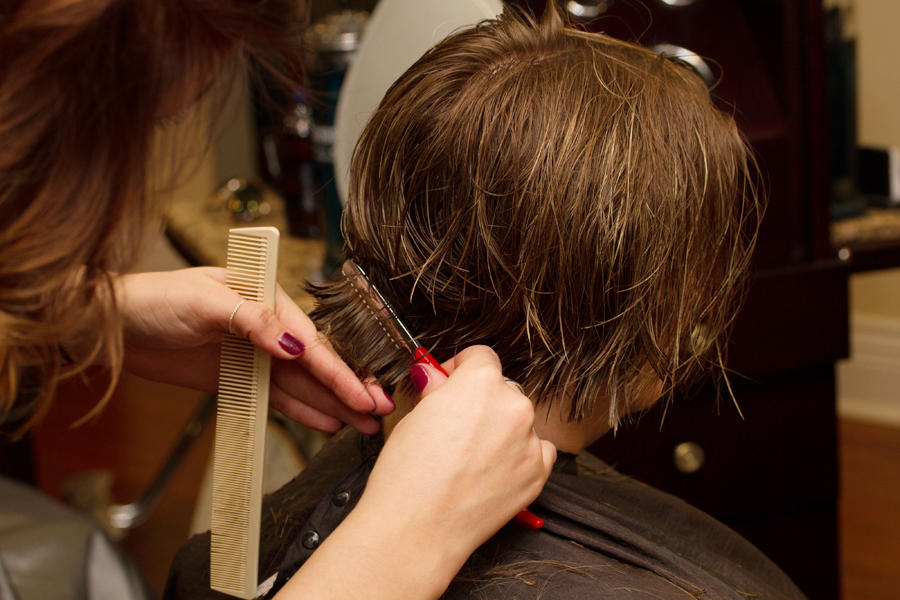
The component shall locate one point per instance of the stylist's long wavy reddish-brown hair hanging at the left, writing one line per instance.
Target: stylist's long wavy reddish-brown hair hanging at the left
(83, 86)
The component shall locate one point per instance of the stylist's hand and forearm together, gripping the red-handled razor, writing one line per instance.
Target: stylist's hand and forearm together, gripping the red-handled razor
(453, 472)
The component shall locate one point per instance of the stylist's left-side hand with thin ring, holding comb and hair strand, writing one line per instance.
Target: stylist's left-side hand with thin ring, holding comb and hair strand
(174, 322)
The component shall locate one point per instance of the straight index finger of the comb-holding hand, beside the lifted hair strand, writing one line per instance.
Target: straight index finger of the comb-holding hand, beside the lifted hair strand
(324, 364)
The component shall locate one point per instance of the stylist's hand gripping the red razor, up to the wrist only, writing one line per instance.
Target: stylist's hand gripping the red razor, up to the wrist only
(468, 449)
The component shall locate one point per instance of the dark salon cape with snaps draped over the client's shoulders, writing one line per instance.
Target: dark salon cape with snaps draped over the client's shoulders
(606, 536)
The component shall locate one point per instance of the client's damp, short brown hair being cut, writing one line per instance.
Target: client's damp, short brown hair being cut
(574, 201)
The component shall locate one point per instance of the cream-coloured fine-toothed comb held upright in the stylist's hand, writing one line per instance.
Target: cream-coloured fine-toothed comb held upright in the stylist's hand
(241, 422)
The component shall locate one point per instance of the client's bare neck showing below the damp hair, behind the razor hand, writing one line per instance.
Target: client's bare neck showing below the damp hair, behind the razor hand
(549, 424)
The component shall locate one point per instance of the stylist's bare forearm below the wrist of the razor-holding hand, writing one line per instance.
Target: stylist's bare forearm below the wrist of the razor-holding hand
(373, 555)
